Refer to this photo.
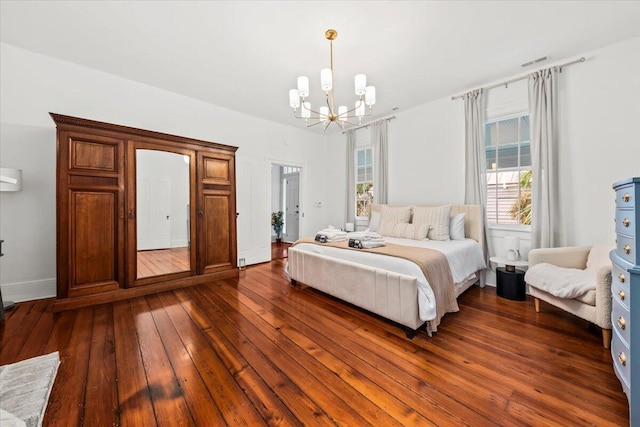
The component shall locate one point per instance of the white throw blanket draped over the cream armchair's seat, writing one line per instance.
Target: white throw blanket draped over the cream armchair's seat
(560, 281)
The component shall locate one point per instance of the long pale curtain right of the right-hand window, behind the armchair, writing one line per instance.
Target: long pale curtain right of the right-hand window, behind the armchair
(546, 214)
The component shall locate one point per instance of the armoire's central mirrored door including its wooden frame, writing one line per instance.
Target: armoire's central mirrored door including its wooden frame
(160, 214)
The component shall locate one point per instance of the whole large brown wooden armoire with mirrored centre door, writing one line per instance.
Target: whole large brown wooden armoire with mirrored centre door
(105, 205)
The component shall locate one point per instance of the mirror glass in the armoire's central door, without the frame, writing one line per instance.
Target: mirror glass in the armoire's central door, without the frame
(162, 193)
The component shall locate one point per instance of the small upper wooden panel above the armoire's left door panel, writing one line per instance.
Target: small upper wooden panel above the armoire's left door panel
(94, 154)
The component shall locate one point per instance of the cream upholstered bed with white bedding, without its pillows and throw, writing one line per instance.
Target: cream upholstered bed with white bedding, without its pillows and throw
(389, 285)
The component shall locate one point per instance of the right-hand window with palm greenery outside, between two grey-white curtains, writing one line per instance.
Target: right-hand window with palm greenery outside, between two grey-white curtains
(508, 152)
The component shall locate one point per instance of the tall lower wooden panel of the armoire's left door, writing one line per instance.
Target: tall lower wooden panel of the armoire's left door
(94, 241)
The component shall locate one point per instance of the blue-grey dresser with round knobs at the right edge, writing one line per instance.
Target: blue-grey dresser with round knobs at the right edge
(625, 289)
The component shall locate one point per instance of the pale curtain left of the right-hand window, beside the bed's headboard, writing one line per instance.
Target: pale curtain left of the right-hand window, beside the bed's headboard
(475, 190)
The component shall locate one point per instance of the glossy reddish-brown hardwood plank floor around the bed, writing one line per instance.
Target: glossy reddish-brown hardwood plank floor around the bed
(257, 351)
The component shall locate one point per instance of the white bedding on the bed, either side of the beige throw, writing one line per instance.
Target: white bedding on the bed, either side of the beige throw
(464, 256)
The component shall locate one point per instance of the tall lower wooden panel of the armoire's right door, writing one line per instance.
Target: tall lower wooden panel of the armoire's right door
(216, 253)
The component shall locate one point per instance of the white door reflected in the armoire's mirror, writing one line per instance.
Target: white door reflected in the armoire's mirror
(153, 216)
